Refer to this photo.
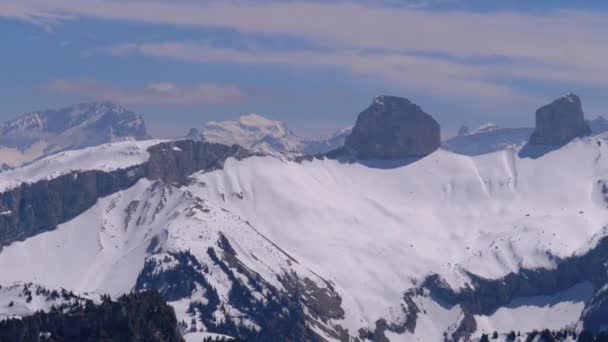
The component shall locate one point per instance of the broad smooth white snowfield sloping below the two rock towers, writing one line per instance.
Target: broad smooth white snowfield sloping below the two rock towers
(375, 230)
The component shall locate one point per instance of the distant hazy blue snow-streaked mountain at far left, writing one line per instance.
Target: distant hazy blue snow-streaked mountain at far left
(42, 133)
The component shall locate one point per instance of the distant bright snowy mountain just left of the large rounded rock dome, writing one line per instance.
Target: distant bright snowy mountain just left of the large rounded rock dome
(258, 133)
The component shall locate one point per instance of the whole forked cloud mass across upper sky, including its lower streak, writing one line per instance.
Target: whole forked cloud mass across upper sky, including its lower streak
(412, 47)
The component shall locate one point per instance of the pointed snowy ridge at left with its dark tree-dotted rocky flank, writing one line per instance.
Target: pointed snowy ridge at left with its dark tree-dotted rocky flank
(142, 237)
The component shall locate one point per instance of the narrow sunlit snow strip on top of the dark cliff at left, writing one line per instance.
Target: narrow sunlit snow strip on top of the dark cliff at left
(107, 157)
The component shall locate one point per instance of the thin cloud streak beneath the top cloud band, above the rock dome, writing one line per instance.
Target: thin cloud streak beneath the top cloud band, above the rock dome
(431, 75)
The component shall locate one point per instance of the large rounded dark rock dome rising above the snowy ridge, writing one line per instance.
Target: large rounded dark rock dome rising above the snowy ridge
(393, 127)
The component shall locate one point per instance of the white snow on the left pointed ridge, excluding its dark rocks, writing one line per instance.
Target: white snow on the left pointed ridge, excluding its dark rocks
(104, 250)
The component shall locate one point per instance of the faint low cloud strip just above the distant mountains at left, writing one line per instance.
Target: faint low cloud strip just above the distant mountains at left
(153, 93)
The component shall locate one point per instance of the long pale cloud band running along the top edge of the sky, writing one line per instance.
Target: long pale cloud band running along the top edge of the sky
(562, 37)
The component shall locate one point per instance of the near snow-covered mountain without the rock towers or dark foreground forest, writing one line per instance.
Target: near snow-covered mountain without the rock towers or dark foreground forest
(448, 246)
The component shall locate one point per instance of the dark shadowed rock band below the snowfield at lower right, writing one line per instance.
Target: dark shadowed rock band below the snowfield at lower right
(485, 296)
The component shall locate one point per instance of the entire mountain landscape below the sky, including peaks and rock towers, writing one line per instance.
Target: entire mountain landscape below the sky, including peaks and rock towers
(381, 232)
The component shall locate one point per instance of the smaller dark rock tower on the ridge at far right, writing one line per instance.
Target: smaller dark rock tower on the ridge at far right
(560, 121)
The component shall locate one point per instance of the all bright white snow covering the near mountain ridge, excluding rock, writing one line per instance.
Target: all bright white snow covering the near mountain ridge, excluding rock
(374, 229)
